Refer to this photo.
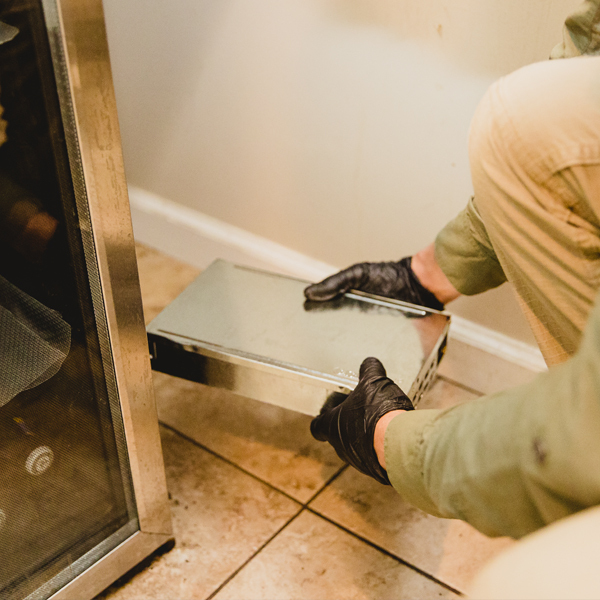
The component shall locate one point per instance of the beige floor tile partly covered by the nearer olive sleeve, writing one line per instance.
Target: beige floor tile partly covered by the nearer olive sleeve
(452, 551)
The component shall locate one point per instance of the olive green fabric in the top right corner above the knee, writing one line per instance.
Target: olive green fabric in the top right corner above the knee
(581, 32)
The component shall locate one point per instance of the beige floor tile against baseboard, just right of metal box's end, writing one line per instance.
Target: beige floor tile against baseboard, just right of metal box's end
(481, 370)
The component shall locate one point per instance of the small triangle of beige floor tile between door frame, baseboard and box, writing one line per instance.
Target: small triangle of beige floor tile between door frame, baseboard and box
(162, 279)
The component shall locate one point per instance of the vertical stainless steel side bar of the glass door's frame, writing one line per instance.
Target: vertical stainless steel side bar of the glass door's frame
(94, 106)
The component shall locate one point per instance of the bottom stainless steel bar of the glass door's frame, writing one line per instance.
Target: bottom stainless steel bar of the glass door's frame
(117, 562)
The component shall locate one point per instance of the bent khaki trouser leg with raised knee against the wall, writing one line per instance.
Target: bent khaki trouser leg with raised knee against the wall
(535, 160)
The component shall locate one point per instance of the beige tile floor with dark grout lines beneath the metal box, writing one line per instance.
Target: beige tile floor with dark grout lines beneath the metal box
(263, 511)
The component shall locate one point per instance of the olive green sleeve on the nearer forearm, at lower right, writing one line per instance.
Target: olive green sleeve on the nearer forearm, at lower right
(511, 462)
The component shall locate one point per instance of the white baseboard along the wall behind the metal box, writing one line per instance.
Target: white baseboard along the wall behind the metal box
(197, 239)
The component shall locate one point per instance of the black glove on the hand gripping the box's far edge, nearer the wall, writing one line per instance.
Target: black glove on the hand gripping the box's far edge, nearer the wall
(390, 279)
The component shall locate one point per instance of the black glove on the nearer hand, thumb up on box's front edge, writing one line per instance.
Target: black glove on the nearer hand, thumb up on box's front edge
(349, 425)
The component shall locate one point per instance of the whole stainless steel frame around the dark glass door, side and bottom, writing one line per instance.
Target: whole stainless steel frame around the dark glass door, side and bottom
(82, 71)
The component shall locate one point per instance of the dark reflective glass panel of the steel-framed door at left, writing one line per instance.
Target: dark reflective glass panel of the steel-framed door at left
(64, 476)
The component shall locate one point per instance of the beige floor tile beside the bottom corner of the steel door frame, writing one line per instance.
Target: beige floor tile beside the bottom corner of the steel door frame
(221, 516)
